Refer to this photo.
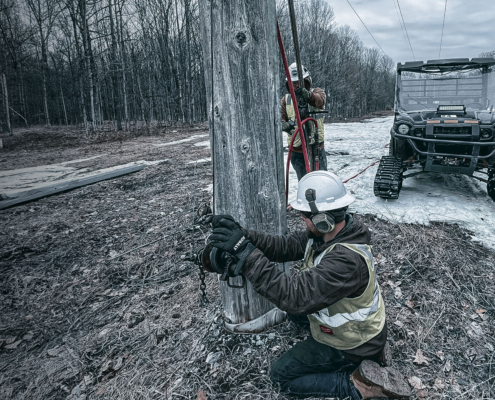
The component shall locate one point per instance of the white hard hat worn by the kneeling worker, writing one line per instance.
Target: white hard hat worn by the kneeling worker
(329, 190)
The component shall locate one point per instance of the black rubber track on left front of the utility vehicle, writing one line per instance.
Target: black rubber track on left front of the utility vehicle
(388, 179)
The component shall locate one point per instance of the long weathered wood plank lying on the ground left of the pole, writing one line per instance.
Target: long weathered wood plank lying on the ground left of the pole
(56, 188)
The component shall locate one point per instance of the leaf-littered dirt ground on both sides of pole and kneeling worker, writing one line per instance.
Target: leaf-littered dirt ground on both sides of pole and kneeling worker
(98, 301)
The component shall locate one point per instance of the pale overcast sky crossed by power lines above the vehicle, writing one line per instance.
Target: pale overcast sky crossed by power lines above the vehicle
(469, 26)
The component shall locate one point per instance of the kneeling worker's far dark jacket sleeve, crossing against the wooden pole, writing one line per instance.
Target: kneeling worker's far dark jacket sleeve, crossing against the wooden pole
(280, 248)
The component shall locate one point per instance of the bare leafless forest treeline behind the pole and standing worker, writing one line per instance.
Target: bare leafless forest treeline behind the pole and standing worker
(89, 62)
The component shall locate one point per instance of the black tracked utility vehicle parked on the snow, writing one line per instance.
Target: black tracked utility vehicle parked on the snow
(444, 122)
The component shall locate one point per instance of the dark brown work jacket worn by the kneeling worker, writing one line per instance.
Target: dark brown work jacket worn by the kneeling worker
(341, 273)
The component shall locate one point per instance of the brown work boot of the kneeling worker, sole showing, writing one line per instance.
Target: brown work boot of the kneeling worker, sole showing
(375, 382)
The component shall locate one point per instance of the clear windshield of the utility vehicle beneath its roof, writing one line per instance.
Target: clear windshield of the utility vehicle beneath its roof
(474, 88)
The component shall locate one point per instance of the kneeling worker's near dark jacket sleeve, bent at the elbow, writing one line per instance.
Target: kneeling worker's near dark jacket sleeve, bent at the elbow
(339, 274)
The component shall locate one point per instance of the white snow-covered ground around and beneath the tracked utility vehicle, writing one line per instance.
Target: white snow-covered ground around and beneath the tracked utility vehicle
(426, 198)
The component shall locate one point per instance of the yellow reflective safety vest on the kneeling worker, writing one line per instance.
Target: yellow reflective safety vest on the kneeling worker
(350, 322)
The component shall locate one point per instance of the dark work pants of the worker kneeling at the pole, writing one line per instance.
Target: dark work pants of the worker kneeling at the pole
(312, 369)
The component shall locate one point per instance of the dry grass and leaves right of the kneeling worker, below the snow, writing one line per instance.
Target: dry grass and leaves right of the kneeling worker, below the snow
(445, 306)
